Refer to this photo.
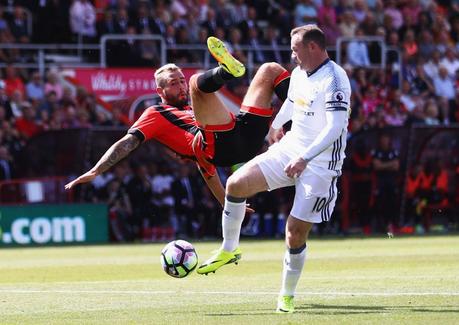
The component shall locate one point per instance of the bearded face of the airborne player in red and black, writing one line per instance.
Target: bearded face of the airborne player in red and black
(175, 92)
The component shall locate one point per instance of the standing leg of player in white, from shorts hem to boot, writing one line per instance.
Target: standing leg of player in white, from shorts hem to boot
(296, 234)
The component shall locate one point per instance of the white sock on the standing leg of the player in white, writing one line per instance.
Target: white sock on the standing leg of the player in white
(293, 265)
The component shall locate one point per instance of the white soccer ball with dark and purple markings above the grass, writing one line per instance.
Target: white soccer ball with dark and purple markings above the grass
(179, 258)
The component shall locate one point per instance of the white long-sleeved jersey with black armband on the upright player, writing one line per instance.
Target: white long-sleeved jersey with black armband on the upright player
(310, 97)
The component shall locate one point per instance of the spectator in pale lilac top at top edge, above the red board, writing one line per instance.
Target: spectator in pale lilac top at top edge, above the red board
(83, 20)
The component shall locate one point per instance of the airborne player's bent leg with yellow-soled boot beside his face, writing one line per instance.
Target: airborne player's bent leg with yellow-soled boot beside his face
(208, 108)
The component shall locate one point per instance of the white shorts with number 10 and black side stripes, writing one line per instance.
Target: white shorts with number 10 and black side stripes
(315, 191)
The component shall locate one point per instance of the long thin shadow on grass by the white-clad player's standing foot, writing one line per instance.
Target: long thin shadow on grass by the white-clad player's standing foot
(316, 309)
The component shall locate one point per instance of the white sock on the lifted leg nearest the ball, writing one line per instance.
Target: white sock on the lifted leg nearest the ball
(232, 217)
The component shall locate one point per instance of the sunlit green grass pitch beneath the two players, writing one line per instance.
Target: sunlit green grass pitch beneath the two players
(349, 281)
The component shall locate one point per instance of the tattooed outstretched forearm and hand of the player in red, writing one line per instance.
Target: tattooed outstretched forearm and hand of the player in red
(114, 154)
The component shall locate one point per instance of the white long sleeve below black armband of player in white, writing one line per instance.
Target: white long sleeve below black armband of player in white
(336, 122)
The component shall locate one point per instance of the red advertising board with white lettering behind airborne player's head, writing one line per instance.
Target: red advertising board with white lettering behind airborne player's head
(120, 82)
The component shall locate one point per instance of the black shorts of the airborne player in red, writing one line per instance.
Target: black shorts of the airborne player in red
(243, 142)
